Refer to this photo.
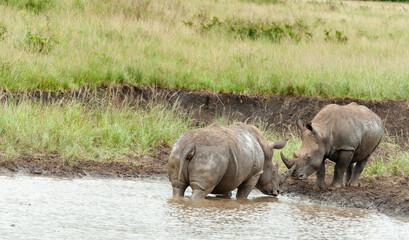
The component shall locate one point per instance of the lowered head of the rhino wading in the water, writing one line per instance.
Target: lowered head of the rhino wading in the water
(271, 179)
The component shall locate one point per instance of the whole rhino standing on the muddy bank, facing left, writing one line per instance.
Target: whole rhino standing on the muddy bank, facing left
(347, 135)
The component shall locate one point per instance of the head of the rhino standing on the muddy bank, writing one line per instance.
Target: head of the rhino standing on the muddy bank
(311, 154)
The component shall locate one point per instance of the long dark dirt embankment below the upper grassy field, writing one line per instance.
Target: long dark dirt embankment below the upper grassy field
(280, 111)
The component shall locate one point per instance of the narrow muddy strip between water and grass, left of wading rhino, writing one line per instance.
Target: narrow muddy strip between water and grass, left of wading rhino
(53, 165)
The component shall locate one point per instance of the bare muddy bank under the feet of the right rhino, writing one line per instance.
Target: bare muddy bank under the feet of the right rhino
(388, 195)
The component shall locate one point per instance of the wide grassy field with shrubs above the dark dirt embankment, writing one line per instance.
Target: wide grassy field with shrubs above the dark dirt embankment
(296, 47)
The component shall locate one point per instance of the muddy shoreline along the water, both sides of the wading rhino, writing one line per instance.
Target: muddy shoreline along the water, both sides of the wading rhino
(387, 195)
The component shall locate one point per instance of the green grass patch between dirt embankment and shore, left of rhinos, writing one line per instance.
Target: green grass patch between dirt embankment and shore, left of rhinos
(90, 132)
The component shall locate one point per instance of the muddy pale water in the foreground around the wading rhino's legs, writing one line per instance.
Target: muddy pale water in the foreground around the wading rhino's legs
(57, 208)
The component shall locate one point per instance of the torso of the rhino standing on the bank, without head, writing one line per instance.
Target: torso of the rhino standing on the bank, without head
(349, 127)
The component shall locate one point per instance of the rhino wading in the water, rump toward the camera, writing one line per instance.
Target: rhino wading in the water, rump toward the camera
(218, 159)
